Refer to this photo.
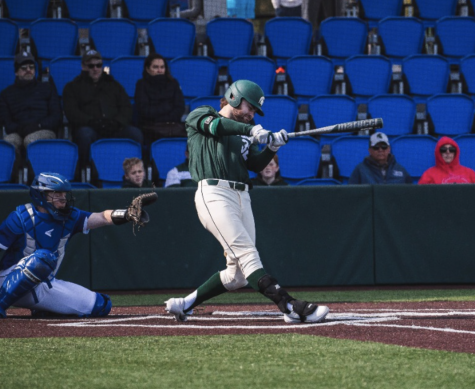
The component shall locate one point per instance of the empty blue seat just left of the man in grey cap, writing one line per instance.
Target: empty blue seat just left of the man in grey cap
(349, 151)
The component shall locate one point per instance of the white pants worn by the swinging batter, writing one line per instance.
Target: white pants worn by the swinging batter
(227, 214)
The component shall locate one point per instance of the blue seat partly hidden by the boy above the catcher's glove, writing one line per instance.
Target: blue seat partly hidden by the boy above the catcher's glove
(108, 156)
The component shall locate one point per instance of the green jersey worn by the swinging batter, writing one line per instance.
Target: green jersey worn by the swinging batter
(221, 148)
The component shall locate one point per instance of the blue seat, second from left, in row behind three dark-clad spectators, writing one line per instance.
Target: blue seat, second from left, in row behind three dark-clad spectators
(54, 38)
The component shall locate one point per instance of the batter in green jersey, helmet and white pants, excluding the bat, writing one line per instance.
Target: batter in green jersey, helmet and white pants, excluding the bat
(222, 150)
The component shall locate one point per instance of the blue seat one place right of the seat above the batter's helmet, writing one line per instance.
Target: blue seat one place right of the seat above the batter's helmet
(310, 75)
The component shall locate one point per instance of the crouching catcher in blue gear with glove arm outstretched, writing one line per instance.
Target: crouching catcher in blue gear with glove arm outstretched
(34, 238)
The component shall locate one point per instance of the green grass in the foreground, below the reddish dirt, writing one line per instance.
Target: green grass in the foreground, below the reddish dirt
(251, 361)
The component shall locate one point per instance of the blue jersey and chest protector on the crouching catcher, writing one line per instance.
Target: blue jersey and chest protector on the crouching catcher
(26, 230)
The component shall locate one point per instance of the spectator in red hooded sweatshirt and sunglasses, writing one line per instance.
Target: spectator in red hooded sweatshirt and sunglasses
(447, 169)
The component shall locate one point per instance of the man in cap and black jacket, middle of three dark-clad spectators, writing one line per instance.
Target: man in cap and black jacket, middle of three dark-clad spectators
(97, 106)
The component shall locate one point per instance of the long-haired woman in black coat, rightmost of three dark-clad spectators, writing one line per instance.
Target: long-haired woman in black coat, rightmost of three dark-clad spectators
(159, 101)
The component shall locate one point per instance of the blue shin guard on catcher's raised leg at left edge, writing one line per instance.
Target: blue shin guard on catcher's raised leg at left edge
(29, 272)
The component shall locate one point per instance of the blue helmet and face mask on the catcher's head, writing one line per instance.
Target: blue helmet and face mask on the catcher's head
(44, 183)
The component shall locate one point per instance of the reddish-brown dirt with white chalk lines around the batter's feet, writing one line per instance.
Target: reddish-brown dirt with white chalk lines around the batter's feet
(439, 325)
